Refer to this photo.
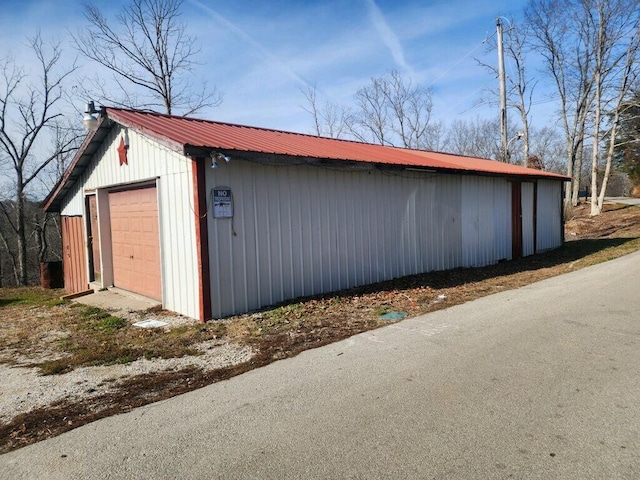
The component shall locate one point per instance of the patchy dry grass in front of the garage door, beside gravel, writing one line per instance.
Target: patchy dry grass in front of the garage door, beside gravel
(40, 331)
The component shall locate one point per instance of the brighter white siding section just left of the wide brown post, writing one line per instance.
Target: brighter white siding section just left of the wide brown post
(486, 220)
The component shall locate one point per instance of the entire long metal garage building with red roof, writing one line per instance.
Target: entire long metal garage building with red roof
(215, 219)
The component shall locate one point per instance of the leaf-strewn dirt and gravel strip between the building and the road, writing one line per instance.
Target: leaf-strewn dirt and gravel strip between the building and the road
(40, 335)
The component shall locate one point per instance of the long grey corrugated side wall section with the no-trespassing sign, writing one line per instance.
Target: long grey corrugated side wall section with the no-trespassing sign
(303, 230)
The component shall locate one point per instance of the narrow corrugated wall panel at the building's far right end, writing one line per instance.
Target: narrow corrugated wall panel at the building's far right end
(549, 218)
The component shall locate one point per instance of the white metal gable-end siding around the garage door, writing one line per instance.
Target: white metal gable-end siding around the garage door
(148, 160)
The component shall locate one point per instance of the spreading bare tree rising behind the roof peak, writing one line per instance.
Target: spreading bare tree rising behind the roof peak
(150, 56)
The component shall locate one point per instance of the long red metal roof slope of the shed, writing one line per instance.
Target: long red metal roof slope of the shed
(229, 137)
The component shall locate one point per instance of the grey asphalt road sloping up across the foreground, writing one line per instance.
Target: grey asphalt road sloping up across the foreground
(541, 382)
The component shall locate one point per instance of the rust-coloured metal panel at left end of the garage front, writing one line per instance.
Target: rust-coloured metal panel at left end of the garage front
(74, 255)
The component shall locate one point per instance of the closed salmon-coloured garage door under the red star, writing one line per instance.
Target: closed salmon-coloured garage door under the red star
(135, 240)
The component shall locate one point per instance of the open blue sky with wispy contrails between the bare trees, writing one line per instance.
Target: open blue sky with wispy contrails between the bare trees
(261, 53)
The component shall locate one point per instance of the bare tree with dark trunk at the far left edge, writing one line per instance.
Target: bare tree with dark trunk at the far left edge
(29, 115)
